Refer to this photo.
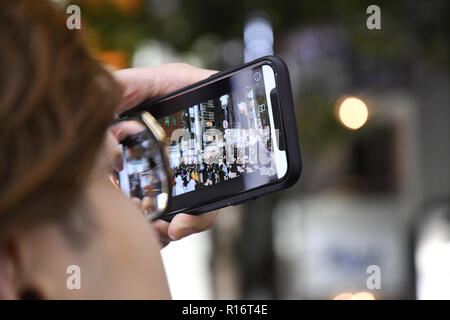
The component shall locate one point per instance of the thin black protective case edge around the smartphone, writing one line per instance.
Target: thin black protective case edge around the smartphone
(289, 125)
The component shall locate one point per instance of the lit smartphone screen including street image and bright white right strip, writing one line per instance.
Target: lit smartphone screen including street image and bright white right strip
(226, 131)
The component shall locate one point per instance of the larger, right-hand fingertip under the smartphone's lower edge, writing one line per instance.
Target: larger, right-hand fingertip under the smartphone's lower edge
(183, 225)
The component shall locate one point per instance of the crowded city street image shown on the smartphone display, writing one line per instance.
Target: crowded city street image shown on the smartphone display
(221, 139)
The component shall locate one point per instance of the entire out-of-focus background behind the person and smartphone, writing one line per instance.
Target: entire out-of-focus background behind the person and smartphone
(373, 114)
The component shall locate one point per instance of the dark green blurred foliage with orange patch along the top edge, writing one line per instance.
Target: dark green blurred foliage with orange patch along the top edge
(410, 29)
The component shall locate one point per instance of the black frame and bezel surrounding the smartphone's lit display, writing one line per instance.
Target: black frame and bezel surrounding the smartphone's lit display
(230, 192)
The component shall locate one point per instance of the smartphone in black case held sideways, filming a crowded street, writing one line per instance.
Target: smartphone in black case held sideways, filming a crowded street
(229, 138)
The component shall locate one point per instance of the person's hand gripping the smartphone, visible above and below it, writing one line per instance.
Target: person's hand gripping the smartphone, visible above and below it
(140, 84)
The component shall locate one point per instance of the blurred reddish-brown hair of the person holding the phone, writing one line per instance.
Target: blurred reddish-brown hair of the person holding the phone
(56, 102)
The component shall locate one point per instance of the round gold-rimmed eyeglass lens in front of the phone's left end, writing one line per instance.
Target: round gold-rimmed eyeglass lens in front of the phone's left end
(146, 173)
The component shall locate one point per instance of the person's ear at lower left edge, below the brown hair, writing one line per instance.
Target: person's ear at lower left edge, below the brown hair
(7, 267)
